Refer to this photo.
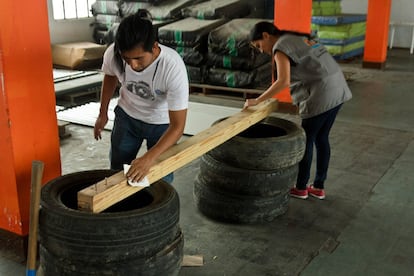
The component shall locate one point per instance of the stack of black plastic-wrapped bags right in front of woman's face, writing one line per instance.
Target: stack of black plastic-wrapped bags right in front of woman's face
(232, 61)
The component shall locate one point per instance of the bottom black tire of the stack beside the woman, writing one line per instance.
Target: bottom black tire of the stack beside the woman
(227, 207)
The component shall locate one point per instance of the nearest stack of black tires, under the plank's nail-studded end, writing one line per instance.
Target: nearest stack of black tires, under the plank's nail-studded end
(137, 236)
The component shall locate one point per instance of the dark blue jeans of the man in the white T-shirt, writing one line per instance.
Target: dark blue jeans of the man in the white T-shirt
(127, 137)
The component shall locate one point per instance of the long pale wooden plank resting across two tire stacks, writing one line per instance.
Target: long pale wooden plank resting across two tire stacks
(115, 188)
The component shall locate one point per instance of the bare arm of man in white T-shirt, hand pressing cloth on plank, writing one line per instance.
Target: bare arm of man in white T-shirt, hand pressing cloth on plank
(140, 166)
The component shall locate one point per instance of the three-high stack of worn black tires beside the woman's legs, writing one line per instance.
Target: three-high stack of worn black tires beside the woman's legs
(247, 179)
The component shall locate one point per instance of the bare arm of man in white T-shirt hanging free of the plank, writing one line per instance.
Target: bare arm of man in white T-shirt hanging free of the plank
(109, 85)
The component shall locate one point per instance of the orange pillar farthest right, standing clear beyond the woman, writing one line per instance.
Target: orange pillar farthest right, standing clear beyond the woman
(376, 37)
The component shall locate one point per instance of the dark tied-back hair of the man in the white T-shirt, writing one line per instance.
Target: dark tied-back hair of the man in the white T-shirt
(134, 30)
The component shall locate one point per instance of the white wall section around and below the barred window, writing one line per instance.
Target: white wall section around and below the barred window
(62, 31)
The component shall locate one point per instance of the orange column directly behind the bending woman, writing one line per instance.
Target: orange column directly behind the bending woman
(293, 16)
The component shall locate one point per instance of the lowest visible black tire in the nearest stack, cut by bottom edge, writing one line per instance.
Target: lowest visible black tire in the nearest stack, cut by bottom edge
(166, 262)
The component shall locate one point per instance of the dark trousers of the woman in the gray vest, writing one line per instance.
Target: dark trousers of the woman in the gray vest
(317, 133)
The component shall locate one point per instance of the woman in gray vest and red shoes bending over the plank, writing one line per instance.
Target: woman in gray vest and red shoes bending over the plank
(318, 88)
